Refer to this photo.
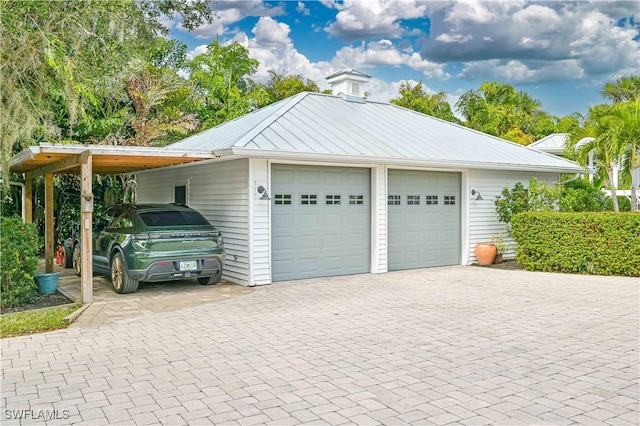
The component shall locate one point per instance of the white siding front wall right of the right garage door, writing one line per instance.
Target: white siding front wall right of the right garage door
(483, 222)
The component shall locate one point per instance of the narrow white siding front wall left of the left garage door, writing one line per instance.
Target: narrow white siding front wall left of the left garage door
(260, 225)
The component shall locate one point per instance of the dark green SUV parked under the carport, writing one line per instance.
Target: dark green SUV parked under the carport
(154, 242)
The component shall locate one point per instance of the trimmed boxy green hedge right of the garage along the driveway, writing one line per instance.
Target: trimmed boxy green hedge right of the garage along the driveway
(586, 243)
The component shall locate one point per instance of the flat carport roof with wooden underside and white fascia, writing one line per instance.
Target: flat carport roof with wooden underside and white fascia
(106, 159)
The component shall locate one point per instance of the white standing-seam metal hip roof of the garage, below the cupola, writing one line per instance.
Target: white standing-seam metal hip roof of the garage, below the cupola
(314, 126)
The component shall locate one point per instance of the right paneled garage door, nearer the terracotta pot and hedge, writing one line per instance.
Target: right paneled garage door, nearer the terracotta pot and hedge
(424, 219)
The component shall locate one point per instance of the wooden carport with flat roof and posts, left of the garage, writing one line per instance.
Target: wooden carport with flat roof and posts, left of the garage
(48, 159)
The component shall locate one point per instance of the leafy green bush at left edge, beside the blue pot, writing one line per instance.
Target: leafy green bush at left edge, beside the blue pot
(18, 261)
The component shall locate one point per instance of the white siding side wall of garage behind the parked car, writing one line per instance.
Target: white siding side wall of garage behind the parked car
(219, 190)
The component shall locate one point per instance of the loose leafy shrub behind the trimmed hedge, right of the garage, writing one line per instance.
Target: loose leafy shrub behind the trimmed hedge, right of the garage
(538, 197)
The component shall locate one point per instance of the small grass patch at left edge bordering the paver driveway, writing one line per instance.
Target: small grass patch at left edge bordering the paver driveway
(36, 321)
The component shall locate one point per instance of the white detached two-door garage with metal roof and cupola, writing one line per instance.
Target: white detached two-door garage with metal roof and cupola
(319, 185)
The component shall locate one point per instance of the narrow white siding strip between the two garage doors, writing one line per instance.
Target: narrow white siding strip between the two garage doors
(379, 219)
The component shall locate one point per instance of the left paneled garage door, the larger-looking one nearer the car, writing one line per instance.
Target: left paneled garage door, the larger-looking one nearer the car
(321, 221)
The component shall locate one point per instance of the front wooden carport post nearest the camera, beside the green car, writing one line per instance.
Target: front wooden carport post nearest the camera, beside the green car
(86, 219)
